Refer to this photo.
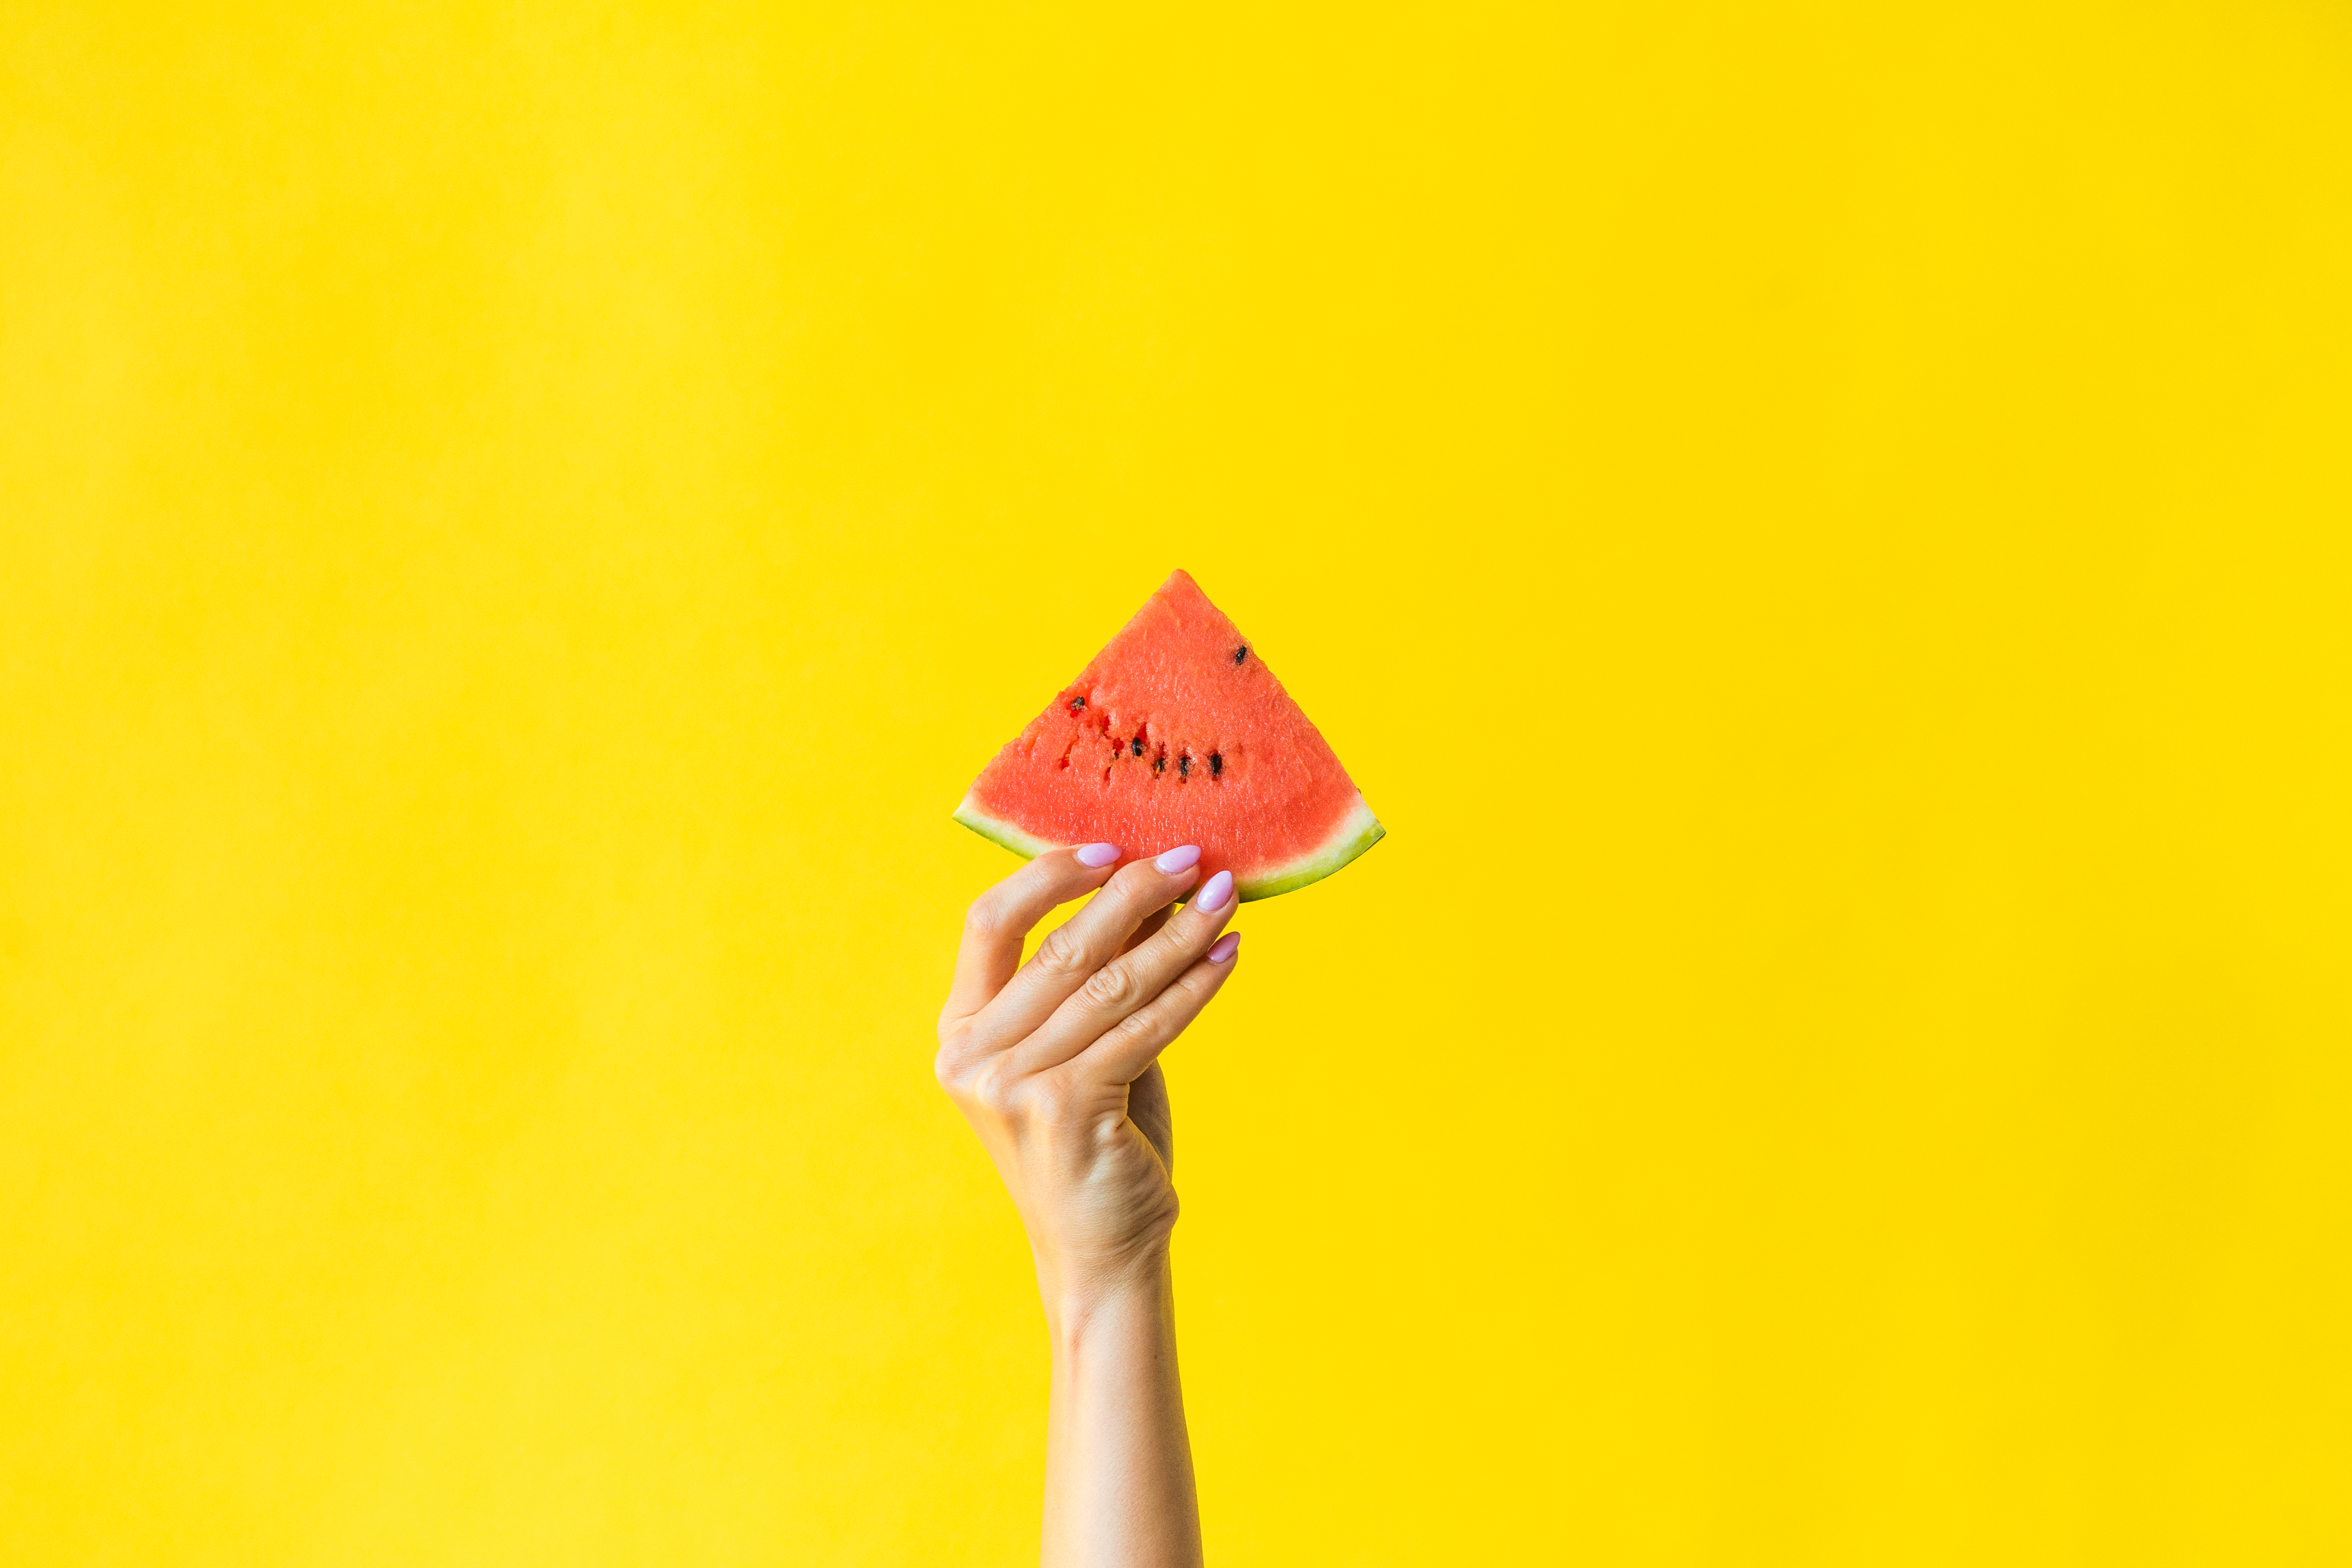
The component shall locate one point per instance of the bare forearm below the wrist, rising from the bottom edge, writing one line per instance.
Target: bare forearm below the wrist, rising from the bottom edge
(1118, 1470)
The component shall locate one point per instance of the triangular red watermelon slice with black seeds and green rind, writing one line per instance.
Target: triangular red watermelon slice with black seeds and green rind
(1180, 735)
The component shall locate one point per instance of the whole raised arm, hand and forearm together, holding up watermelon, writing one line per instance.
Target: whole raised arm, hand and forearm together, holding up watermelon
(1057, 1068)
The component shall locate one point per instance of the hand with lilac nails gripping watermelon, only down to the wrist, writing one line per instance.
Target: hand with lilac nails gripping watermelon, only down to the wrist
(1055, 1061)
